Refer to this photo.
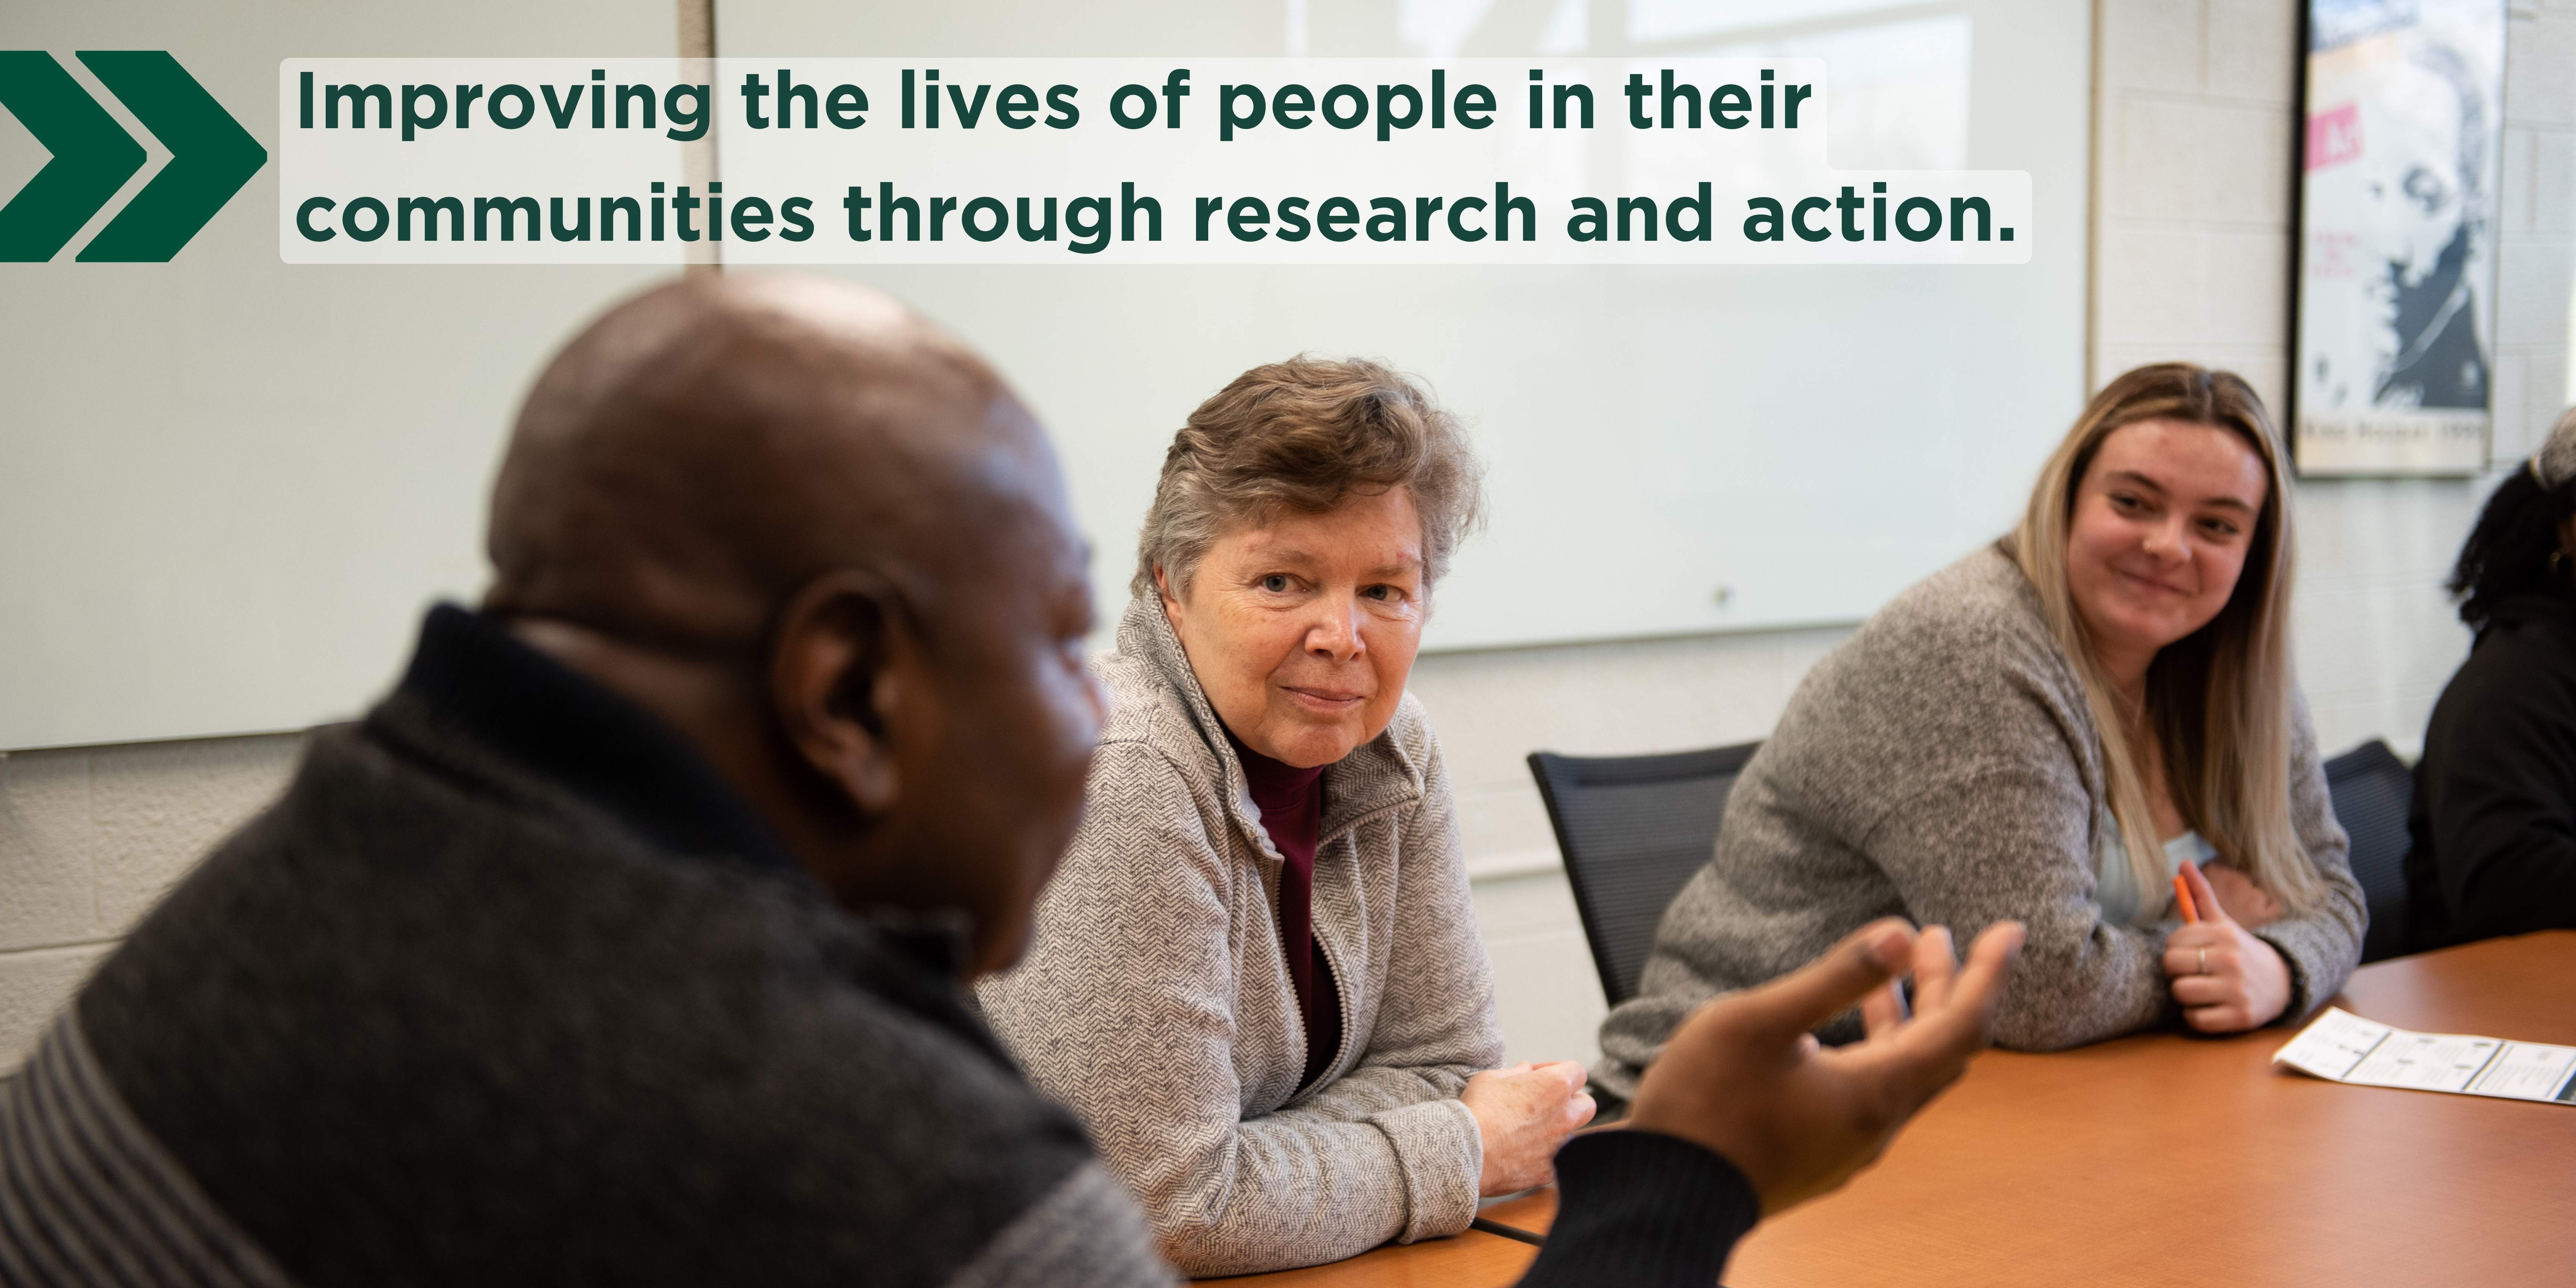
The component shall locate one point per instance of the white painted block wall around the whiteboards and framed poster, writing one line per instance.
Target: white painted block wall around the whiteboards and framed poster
(2191, 261)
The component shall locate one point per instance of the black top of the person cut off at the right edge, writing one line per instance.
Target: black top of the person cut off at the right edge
(2495, 805)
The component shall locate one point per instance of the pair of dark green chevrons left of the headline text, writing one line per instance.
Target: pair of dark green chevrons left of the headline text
(210, 156)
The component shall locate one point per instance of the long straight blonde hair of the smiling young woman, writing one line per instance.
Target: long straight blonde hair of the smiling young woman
(2219, 699)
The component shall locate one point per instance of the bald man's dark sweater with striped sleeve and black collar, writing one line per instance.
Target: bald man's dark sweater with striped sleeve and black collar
(511, 988)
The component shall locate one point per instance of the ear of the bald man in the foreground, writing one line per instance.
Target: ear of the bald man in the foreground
(838, 689)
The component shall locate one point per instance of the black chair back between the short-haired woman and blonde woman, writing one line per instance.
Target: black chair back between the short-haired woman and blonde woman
(1634, 828)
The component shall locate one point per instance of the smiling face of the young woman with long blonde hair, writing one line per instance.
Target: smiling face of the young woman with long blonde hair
(2160, 535)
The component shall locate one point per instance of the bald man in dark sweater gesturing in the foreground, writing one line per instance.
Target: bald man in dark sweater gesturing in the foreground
(627, 939)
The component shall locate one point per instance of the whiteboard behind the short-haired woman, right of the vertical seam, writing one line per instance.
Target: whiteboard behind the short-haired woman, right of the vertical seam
(1807, 439)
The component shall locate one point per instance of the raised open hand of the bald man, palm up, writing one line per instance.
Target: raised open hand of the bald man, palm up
(1745, 1078)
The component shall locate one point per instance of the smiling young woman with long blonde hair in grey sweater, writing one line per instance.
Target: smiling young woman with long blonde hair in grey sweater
(2052, 730)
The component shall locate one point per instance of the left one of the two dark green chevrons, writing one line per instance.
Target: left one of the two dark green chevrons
(91, 156)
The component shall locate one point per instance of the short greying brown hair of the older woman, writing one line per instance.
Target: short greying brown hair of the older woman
(1302, 437)
